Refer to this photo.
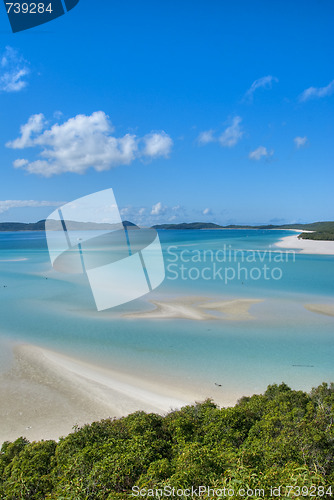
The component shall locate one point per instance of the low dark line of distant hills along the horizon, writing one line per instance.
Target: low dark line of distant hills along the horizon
(320, 230)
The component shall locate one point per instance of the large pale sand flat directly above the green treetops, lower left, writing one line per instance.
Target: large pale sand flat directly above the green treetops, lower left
(45, 394)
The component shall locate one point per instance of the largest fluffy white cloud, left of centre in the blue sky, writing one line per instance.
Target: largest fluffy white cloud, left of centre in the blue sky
(84, 142)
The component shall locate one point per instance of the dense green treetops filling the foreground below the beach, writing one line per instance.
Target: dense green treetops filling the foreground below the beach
(282, 437)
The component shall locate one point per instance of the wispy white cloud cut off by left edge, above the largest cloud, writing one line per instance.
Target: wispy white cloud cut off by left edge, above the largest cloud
(13, 70)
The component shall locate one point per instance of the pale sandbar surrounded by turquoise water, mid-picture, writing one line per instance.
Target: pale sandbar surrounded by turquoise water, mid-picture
(195, 308)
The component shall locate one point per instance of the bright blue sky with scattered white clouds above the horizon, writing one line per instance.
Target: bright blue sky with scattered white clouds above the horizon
(218, 111)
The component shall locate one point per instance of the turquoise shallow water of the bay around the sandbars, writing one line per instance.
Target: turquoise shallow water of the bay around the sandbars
(284, 341)
